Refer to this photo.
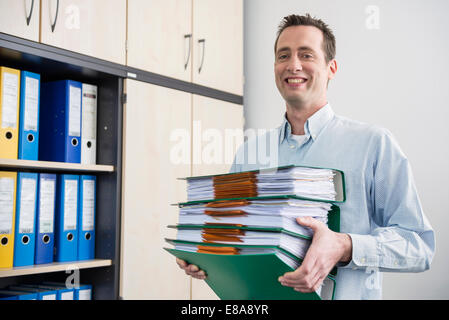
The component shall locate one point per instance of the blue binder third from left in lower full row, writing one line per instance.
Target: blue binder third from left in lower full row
(45, 218)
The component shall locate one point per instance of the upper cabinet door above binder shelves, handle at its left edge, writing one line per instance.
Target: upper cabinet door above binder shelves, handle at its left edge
(95, 28)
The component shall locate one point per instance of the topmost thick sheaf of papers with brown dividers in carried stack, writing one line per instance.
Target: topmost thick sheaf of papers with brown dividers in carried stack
(305, 182)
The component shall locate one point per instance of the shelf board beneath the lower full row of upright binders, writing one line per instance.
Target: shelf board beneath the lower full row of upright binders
(54, 267)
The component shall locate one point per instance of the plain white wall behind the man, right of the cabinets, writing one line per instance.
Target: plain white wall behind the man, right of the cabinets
(393, 72)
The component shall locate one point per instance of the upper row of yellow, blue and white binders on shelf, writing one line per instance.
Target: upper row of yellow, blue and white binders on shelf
(53, 121)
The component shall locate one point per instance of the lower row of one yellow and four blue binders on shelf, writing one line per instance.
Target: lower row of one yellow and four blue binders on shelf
(46, 217)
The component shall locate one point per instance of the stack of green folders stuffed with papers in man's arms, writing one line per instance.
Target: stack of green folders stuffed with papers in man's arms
(235, 223)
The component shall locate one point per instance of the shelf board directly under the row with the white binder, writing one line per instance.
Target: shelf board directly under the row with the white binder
(54, 166)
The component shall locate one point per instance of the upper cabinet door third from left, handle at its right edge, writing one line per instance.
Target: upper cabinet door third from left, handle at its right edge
(159, 37)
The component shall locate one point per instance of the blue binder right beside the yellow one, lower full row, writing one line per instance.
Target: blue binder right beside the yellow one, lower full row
(26, 204)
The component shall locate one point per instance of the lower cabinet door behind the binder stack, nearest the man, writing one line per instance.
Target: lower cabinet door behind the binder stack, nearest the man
(217, 133)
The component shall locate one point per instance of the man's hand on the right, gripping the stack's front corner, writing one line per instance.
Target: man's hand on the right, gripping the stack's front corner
(327, 248)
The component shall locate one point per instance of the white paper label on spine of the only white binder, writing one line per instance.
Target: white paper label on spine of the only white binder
(89, 126)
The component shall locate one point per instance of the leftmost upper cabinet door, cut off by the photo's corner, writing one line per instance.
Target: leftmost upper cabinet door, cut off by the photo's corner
(20, 18)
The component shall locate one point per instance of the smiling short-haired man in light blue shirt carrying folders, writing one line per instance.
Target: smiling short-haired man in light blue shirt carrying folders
(383, 227)
